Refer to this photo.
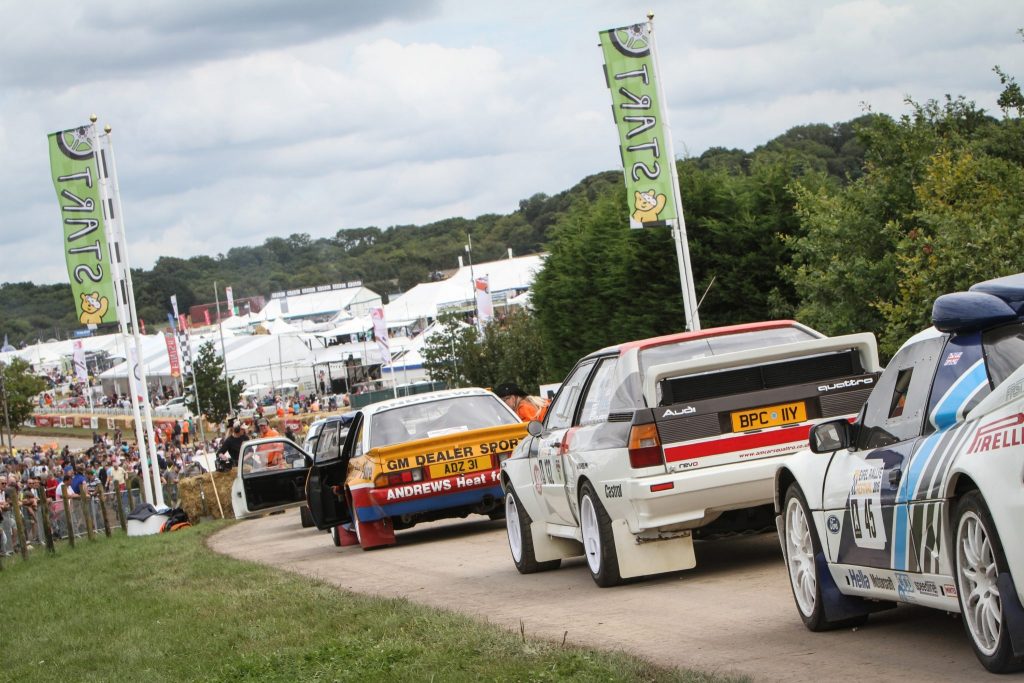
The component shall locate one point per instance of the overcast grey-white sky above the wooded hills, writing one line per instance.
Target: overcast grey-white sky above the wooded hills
(239, 120)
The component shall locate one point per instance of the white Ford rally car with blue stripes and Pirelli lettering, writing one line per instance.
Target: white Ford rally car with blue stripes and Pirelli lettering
(922, 499)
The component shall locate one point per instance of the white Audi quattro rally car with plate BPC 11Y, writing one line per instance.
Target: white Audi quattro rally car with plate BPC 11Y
(651, 442)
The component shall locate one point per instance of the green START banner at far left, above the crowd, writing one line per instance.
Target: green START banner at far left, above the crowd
(73, 164)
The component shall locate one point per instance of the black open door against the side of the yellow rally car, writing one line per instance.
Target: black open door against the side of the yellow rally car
(327, 478)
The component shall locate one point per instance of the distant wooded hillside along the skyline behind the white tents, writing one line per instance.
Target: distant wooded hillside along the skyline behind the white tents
(391, 261)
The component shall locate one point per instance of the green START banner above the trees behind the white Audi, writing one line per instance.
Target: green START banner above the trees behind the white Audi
(630, 72)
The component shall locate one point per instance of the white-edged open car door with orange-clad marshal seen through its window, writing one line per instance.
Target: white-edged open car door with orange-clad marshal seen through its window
(271, 477)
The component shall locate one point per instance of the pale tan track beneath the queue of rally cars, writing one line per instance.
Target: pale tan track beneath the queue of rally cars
(734, 614)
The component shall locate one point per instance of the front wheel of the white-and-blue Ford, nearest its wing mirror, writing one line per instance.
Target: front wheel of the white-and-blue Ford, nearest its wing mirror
(802, 551)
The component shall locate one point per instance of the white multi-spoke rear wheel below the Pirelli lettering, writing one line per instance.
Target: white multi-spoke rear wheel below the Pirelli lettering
(979, 562)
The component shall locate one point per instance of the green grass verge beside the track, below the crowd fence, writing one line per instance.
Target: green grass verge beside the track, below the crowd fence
(167, 609)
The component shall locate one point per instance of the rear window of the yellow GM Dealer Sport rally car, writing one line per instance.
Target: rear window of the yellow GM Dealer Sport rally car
(436, 418)
